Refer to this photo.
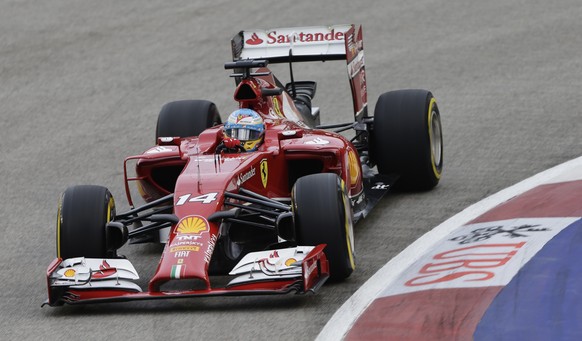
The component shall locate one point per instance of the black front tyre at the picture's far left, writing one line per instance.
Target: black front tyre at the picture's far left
(83, 213)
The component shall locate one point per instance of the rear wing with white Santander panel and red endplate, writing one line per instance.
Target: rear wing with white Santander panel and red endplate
(303, 44)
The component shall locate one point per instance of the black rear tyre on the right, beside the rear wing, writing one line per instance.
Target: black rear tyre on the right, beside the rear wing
(407, 138)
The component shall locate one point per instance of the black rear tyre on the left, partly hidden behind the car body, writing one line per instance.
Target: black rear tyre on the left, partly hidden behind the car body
(186, 118)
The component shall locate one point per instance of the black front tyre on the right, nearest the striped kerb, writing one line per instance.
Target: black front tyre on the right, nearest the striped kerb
(323, 215)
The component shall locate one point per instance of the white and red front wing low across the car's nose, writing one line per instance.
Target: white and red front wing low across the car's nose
(82, 280)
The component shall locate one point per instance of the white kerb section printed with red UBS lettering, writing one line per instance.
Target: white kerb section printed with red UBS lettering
(479, 255)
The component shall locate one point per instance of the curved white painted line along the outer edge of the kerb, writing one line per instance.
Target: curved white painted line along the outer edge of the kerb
(344, 318)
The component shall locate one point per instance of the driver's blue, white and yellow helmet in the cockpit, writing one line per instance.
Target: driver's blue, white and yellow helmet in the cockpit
(247, 126)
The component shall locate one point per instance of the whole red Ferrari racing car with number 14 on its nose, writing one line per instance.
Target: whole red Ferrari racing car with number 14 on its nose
(262, 204)
